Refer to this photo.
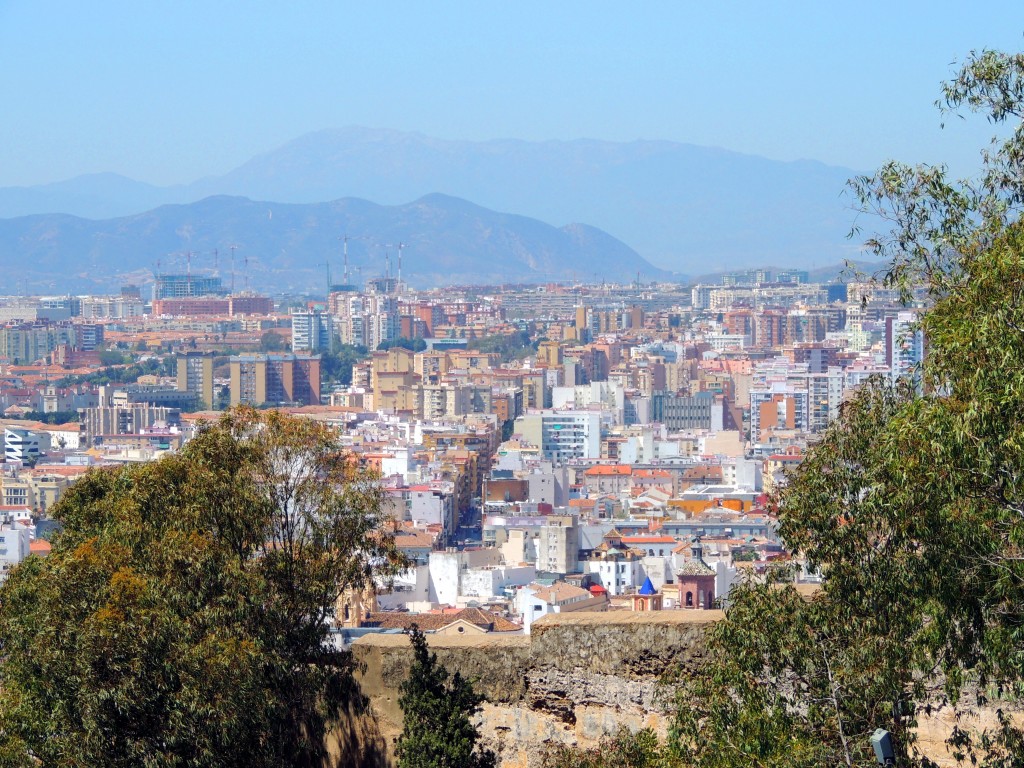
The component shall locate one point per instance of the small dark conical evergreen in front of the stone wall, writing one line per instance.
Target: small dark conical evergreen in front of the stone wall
(438, 732)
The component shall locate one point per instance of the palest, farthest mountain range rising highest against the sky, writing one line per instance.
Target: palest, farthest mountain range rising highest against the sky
(687, 208)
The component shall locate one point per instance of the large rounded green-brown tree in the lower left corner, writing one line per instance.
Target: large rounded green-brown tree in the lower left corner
(182, 617)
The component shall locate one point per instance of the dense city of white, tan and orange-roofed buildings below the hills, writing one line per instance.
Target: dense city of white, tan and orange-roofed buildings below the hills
(544, 449)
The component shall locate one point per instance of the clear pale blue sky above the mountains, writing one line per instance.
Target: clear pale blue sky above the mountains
(169, 92)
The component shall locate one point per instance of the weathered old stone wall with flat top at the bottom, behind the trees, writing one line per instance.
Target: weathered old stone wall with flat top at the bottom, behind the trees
(577, 678)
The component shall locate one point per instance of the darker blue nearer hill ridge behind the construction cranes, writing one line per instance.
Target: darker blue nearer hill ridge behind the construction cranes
(287, 247)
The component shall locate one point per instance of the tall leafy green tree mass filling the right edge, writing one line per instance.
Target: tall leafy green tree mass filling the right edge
(912, 504)
